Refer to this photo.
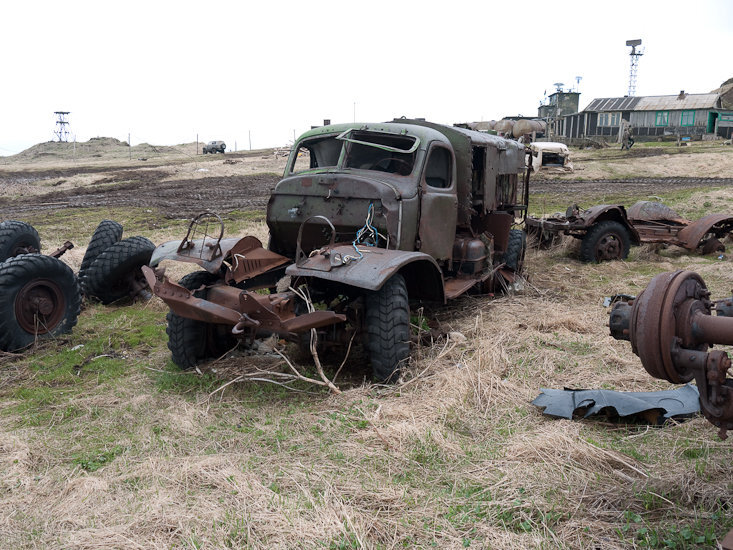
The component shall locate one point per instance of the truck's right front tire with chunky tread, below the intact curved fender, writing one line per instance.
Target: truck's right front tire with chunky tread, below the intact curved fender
(388, 329)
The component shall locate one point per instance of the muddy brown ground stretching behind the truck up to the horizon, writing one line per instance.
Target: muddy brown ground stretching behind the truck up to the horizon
(181, 185)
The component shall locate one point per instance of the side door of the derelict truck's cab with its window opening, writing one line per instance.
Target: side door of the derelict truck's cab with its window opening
(438, 205)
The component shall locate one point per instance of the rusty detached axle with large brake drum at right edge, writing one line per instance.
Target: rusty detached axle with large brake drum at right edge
(671, 328)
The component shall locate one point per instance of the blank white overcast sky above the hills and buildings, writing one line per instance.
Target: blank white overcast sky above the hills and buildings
(167, 71)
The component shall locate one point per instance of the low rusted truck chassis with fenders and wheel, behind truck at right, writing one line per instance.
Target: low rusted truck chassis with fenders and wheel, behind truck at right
(607, 231)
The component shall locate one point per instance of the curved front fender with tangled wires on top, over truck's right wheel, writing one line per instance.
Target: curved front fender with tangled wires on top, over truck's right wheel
(342, 264)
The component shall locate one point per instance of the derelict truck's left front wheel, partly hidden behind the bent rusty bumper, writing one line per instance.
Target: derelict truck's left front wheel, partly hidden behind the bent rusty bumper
(191, 341)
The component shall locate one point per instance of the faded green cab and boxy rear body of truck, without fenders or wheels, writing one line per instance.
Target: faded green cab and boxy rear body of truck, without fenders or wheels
(439, 190)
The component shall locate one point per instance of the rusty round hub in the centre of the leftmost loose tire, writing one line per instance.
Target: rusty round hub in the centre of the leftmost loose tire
(40, 306)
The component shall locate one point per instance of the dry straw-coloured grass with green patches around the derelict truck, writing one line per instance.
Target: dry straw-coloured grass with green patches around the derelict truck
(104, 443)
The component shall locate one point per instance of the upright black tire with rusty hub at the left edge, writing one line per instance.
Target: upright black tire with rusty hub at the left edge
(39, 298)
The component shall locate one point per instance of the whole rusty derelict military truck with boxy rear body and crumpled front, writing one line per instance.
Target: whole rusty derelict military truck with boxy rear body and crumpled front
(367, 219)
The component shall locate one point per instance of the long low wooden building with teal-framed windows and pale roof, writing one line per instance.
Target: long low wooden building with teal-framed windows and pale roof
(650, 116)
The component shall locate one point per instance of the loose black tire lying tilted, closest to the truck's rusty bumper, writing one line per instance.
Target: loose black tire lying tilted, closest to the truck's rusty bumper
(115, 273)
